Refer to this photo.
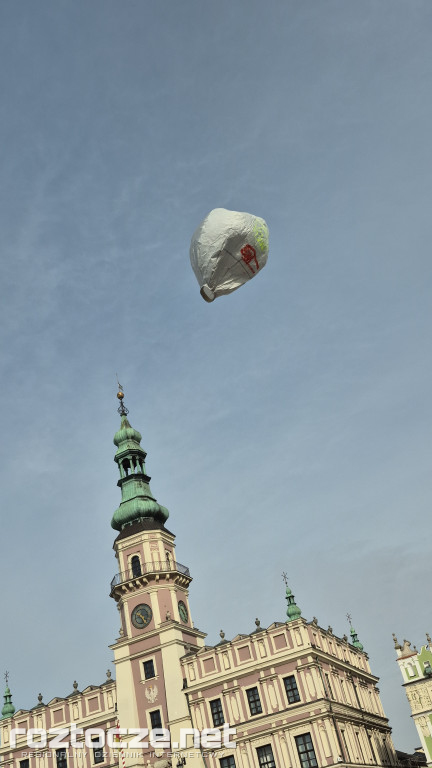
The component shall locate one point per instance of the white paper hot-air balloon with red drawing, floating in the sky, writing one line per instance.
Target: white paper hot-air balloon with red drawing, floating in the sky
(228, 249)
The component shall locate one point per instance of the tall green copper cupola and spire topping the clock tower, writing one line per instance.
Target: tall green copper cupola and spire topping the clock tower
(138, 503)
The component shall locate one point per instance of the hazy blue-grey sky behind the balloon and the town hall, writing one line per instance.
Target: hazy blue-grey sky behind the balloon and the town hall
(288, 425)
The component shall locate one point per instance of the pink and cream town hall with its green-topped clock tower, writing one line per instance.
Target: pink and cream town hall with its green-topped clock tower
(297, 695)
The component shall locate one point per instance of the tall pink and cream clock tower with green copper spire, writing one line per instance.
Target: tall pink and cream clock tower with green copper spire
(151, 592)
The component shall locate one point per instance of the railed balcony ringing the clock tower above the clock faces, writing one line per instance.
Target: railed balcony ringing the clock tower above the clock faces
(128, 581)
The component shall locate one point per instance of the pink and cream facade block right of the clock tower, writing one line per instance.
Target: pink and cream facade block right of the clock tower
(331, 696)
